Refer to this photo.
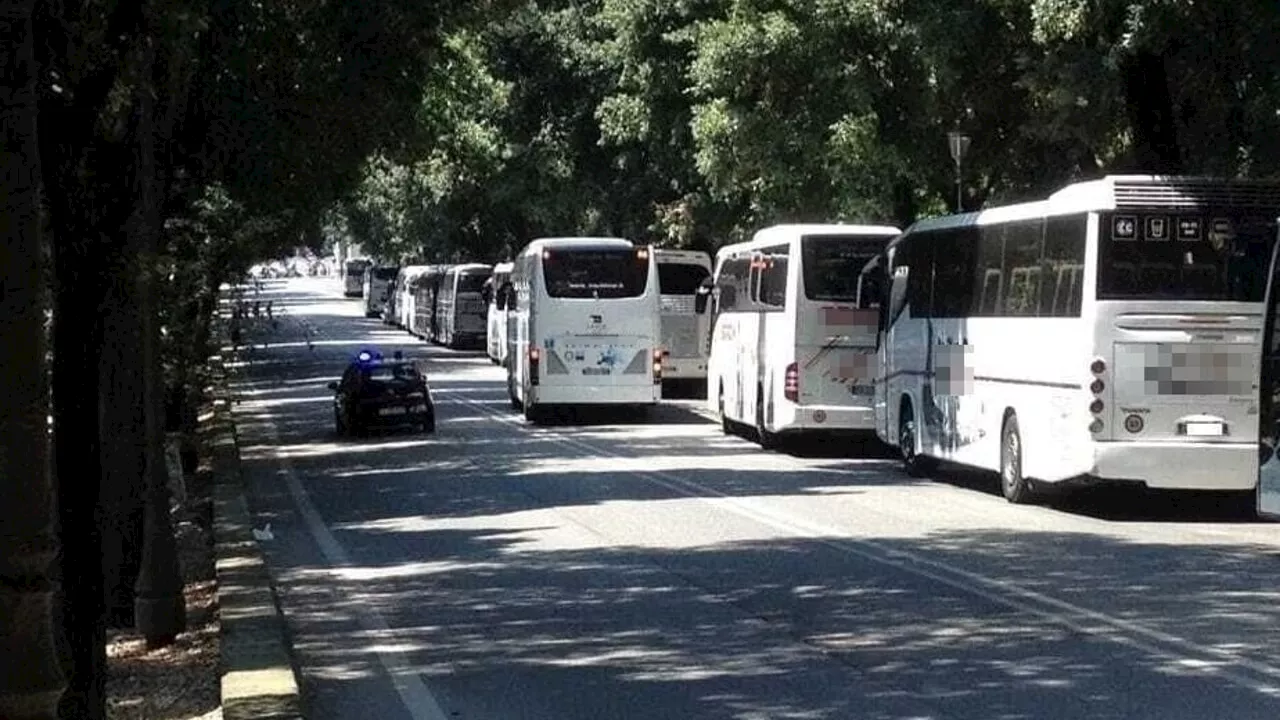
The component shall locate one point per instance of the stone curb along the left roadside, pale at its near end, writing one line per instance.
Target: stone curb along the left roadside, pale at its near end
(259, 680)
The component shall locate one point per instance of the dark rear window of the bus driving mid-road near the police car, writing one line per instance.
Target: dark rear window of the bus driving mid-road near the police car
(596, 274)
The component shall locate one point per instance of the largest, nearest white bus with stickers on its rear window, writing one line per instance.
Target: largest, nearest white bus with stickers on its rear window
(1108, 334)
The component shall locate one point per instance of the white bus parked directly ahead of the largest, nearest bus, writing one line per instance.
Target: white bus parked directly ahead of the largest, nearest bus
(790, 349)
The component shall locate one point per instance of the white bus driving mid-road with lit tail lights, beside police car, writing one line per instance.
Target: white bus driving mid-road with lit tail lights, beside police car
(583, 326)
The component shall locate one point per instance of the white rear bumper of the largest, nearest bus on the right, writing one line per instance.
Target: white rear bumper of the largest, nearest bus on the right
(1180, 466)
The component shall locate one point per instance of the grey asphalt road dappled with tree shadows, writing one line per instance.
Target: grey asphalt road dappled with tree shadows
(619, 568)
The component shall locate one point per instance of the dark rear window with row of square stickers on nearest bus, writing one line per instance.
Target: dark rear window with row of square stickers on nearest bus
(1185, 257)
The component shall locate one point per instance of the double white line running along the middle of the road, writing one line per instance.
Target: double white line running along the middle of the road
(1085, 621)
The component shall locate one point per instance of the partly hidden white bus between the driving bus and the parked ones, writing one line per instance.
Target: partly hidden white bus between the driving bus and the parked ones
(684, 331)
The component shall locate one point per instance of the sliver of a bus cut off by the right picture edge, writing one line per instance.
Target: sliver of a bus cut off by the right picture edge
(1269, 397)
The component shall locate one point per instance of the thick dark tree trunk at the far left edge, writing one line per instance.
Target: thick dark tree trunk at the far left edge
(30, 678)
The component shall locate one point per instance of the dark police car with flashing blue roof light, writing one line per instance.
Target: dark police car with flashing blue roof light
(377, 393)
